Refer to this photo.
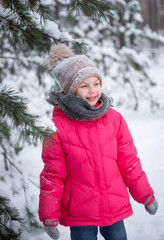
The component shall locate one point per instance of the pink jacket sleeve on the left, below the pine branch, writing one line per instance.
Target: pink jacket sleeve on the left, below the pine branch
(52, 179)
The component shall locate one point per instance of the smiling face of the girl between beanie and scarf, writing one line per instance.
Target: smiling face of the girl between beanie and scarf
(90, 90)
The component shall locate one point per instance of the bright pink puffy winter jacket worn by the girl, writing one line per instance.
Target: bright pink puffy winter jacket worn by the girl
(87, 171)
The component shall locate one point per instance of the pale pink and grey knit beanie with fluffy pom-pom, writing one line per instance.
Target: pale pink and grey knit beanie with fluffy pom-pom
(70, 69)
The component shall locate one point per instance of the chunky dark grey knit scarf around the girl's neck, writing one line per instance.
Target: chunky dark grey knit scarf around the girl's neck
(77, 108)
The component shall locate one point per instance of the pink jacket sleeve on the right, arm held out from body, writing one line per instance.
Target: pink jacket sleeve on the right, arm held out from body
(130, 166)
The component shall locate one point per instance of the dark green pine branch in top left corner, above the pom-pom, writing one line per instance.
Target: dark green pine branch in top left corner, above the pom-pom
(22, 27)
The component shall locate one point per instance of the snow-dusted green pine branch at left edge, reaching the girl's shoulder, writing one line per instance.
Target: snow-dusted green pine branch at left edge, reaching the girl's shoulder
(14, 107)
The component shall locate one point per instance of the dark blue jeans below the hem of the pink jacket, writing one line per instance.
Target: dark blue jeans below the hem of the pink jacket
(114, 232)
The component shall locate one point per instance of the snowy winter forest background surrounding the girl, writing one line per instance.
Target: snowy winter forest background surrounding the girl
(126, 40)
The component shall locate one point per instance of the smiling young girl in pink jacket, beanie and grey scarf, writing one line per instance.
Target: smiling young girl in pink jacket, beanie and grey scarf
(91, 160)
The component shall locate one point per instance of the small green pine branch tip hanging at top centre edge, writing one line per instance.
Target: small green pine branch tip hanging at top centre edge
(94, 8)
